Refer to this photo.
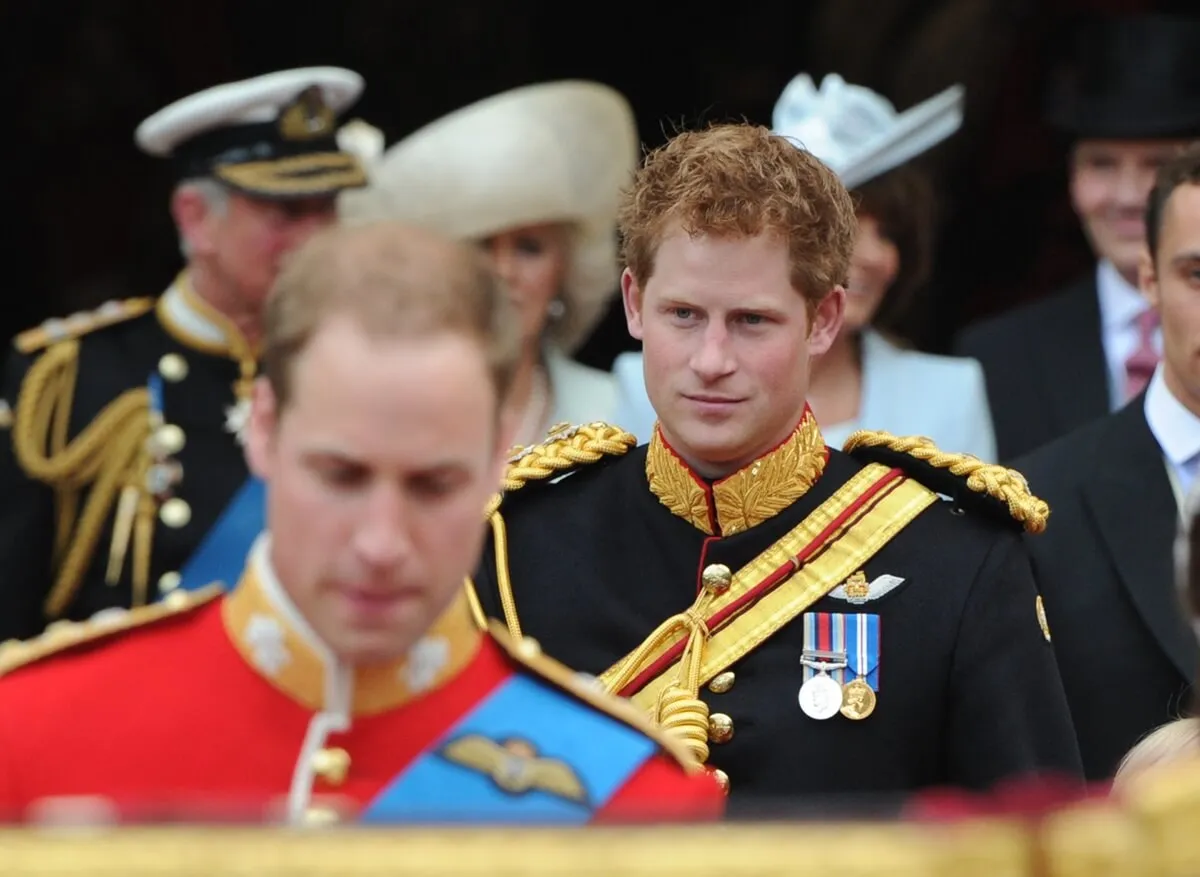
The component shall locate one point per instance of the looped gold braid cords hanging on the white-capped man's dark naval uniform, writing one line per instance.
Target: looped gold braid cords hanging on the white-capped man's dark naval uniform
(109, 456)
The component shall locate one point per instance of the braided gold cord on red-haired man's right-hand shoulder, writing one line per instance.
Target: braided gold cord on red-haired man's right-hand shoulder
(998, 482)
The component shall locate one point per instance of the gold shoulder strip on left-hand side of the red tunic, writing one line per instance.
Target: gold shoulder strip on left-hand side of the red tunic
(62, 636)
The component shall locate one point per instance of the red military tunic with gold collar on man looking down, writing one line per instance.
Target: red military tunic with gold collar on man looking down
(231, 708)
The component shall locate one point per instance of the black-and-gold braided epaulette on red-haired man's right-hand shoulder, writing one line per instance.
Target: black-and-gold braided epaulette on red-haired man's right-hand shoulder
(944, 472)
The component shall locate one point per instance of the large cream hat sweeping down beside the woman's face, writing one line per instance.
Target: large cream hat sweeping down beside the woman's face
(549, 153)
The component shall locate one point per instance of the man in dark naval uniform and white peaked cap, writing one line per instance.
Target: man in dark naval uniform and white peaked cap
(125, 478)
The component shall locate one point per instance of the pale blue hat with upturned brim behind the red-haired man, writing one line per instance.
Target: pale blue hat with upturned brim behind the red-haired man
(859, 133)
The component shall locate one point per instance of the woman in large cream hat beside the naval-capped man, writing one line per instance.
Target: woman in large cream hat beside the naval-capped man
(533, 176)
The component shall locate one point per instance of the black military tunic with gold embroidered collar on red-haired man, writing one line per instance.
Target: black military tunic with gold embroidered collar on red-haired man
(969, 693)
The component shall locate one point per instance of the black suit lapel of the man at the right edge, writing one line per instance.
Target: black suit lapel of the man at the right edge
(1135, 508)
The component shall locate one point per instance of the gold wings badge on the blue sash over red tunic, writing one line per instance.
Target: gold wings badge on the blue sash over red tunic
(515, 767)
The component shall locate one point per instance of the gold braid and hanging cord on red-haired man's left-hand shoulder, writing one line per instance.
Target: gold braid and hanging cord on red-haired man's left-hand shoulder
(566, 448)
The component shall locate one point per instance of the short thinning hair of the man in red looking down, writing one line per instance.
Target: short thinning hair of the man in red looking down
(394, 281)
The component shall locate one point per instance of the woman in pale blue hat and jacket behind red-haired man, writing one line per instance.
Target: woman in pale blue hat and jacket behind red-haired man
(869, 379)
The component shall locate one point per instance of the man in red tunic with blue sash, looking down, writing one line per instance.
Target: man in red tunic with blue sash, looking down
(345, 676)
